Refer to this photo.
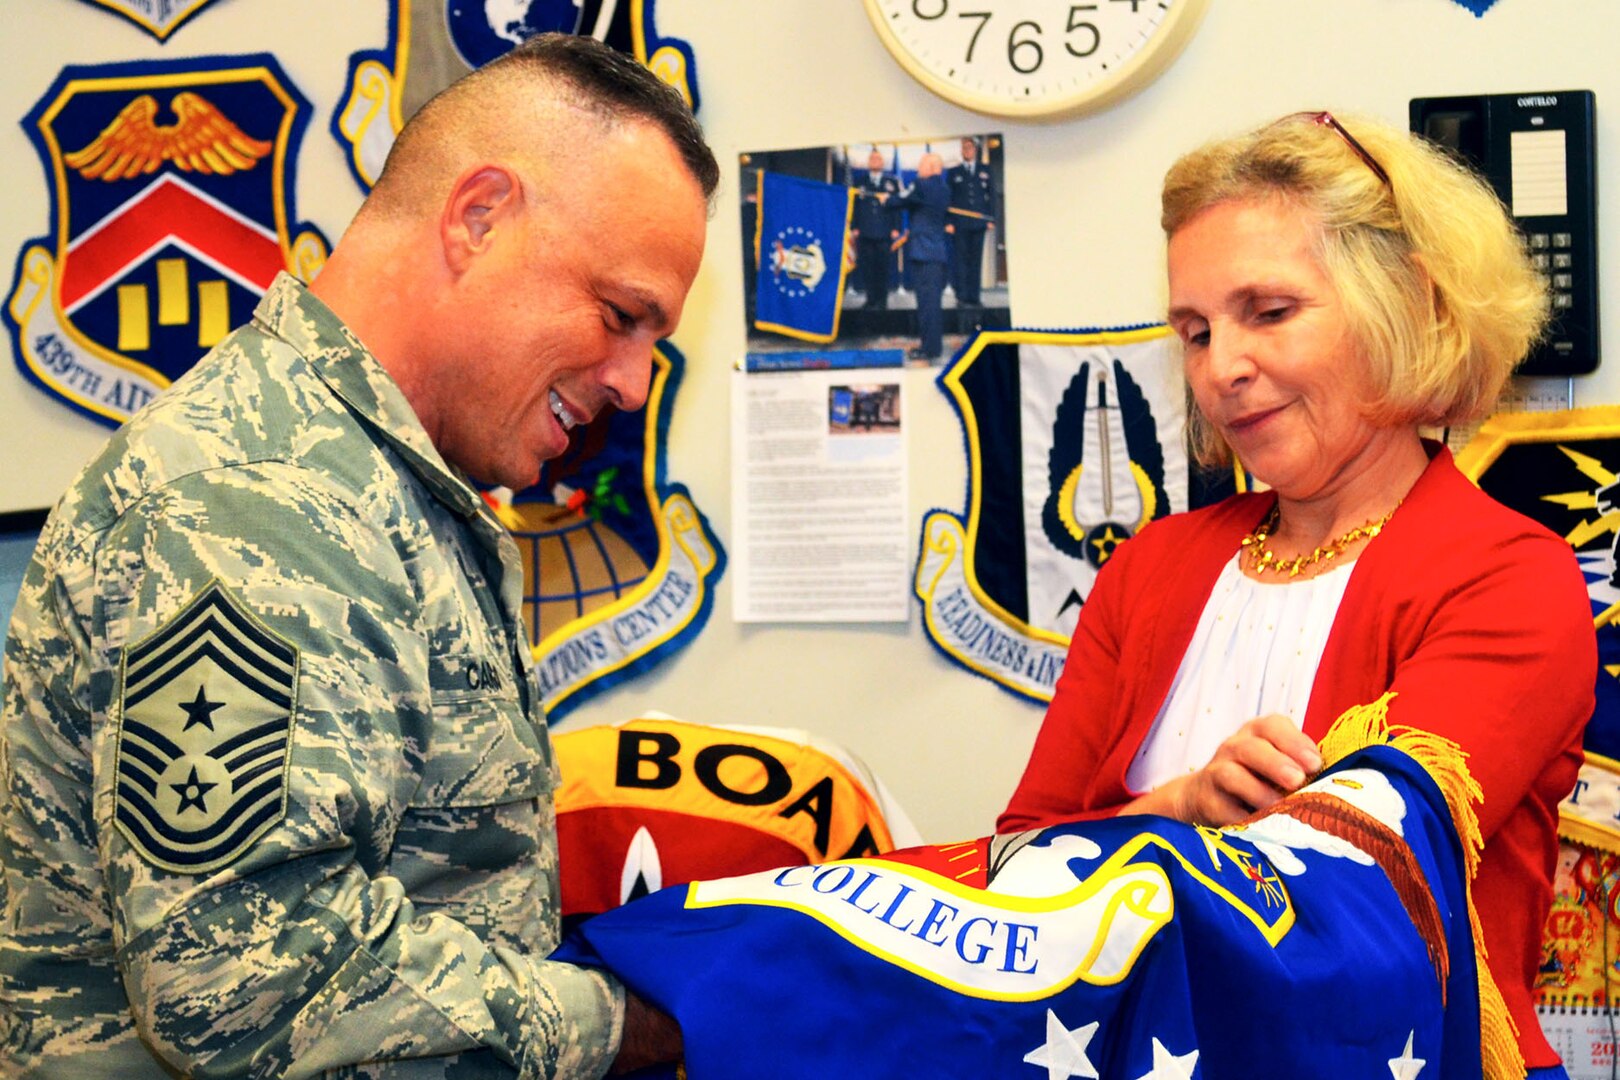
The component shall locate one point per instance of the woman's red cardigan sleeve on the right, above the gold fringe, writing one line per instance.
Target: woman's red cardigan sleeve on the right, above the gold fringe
(1506, 668)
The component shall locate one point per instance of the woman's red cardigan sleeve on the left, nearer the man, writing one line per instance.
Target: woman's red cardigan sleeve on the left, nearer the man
(1078, 731)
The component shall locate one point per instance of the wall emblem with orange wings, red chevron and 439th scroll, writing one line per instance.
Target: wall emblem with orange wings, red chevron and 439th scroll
(171, 202)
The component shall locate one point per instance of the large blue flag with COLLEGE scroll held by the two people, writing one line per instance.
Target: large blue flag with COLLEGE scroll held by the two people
(1329, 938)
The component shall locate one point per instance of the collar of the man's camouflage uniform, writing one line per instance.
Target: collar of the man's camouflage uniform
(292, 313)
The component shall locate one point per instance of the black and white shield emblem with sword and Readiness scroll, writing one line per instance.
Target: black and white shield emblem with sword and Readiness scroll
(1075, 443)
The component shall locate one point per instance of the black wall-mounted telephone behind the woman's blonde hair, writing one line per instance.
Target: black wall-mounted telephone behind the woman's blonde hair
(1540, 155)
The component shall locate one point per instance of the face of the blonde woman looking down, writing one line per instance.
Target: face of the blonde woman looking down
(1269, 354)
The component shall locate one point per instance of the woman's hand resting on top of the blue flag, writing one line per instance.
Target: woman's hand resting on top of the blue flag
(1258, 765)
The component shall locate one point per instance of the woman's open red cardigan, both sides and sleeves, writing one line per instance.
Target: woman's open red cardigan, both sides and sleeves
(1473, 614)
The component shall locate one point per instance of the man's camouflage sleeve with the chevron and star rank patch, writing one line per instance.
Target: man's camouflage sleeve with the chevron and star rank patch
(299, 948)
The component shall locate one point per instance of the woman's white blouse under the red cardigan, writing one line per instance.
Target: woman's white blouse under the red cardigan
(1256, 652)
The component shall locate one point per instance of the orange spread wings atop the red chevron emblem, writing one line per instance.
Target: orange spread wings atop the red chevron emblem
(202, 140)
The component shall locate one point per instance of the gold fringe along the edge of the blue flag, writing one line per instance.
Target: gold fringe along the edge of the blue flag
(1447, 767)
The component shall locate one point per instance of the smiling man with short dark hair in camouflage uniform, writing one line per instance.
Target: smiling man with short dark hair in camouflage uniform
(276, 778)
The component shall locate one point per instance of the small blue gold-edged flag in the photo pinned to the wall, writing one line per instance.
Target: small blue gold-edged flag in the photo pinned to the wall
(804, 226)
